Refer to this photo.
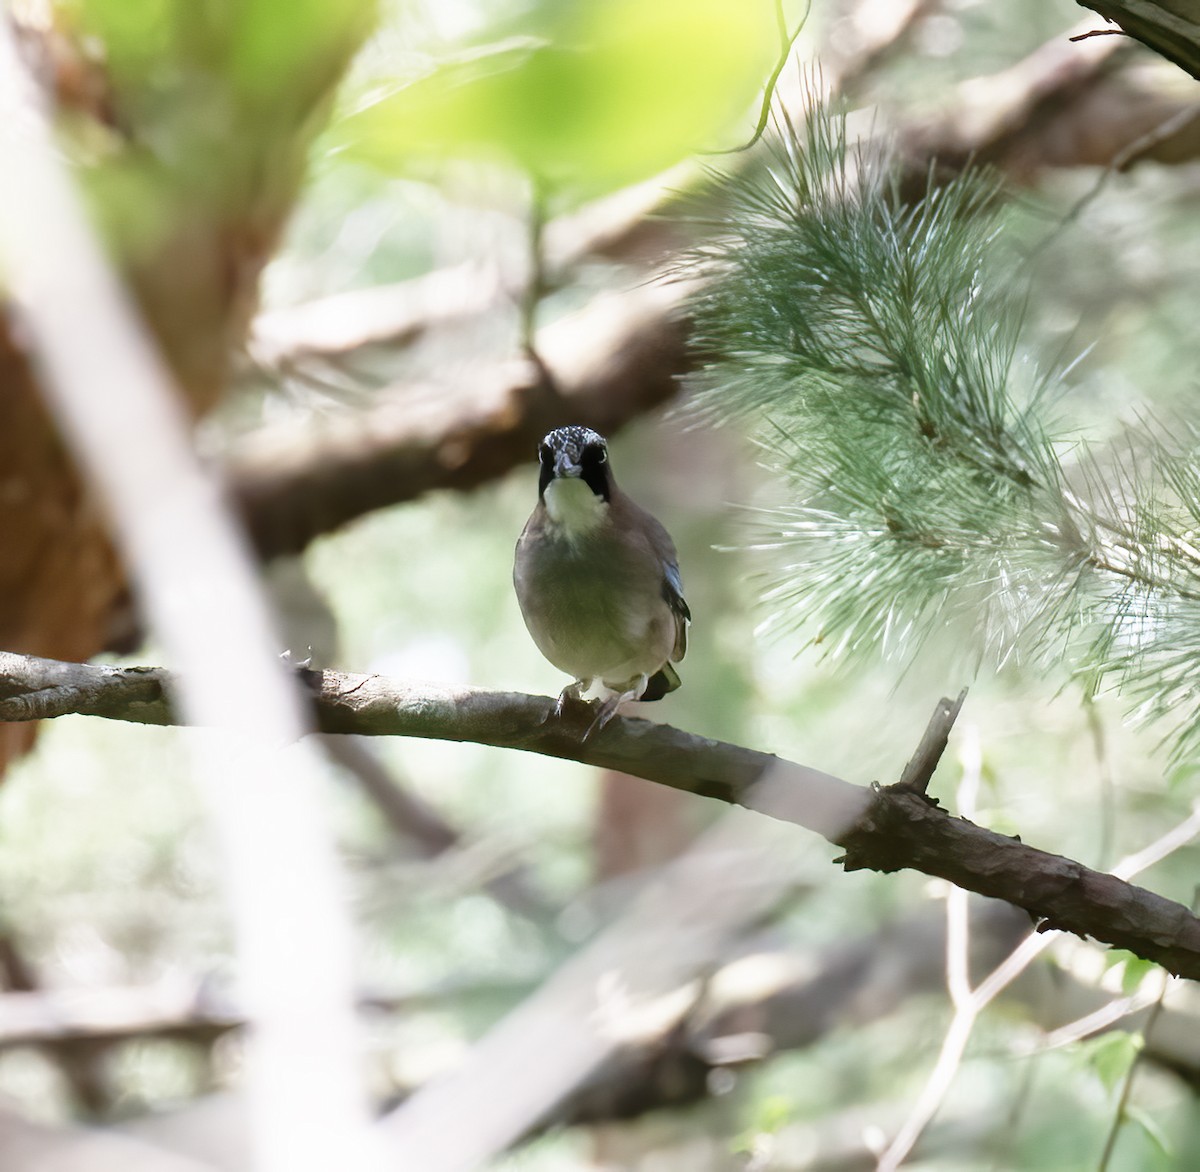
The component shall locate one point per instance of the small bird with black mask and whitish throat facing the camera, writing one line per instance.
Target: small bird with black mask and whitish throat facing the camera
(598, 580)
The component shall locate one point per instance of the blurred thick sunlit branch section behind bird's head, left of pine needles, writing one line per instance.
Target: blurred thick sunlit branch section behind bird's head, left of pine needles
(609, 364)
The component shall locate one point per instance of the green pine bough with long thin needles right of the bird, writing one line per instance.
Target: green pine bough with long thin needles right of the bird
(879, 350)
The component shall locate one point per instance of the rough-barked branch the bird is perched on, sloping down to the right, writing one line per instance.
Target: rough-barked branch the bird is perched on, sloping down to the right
(880, 830)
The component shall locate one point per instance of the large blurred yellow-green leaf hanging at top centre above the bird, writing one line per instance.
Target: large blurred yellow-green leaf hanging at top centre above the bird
(590, 95)
